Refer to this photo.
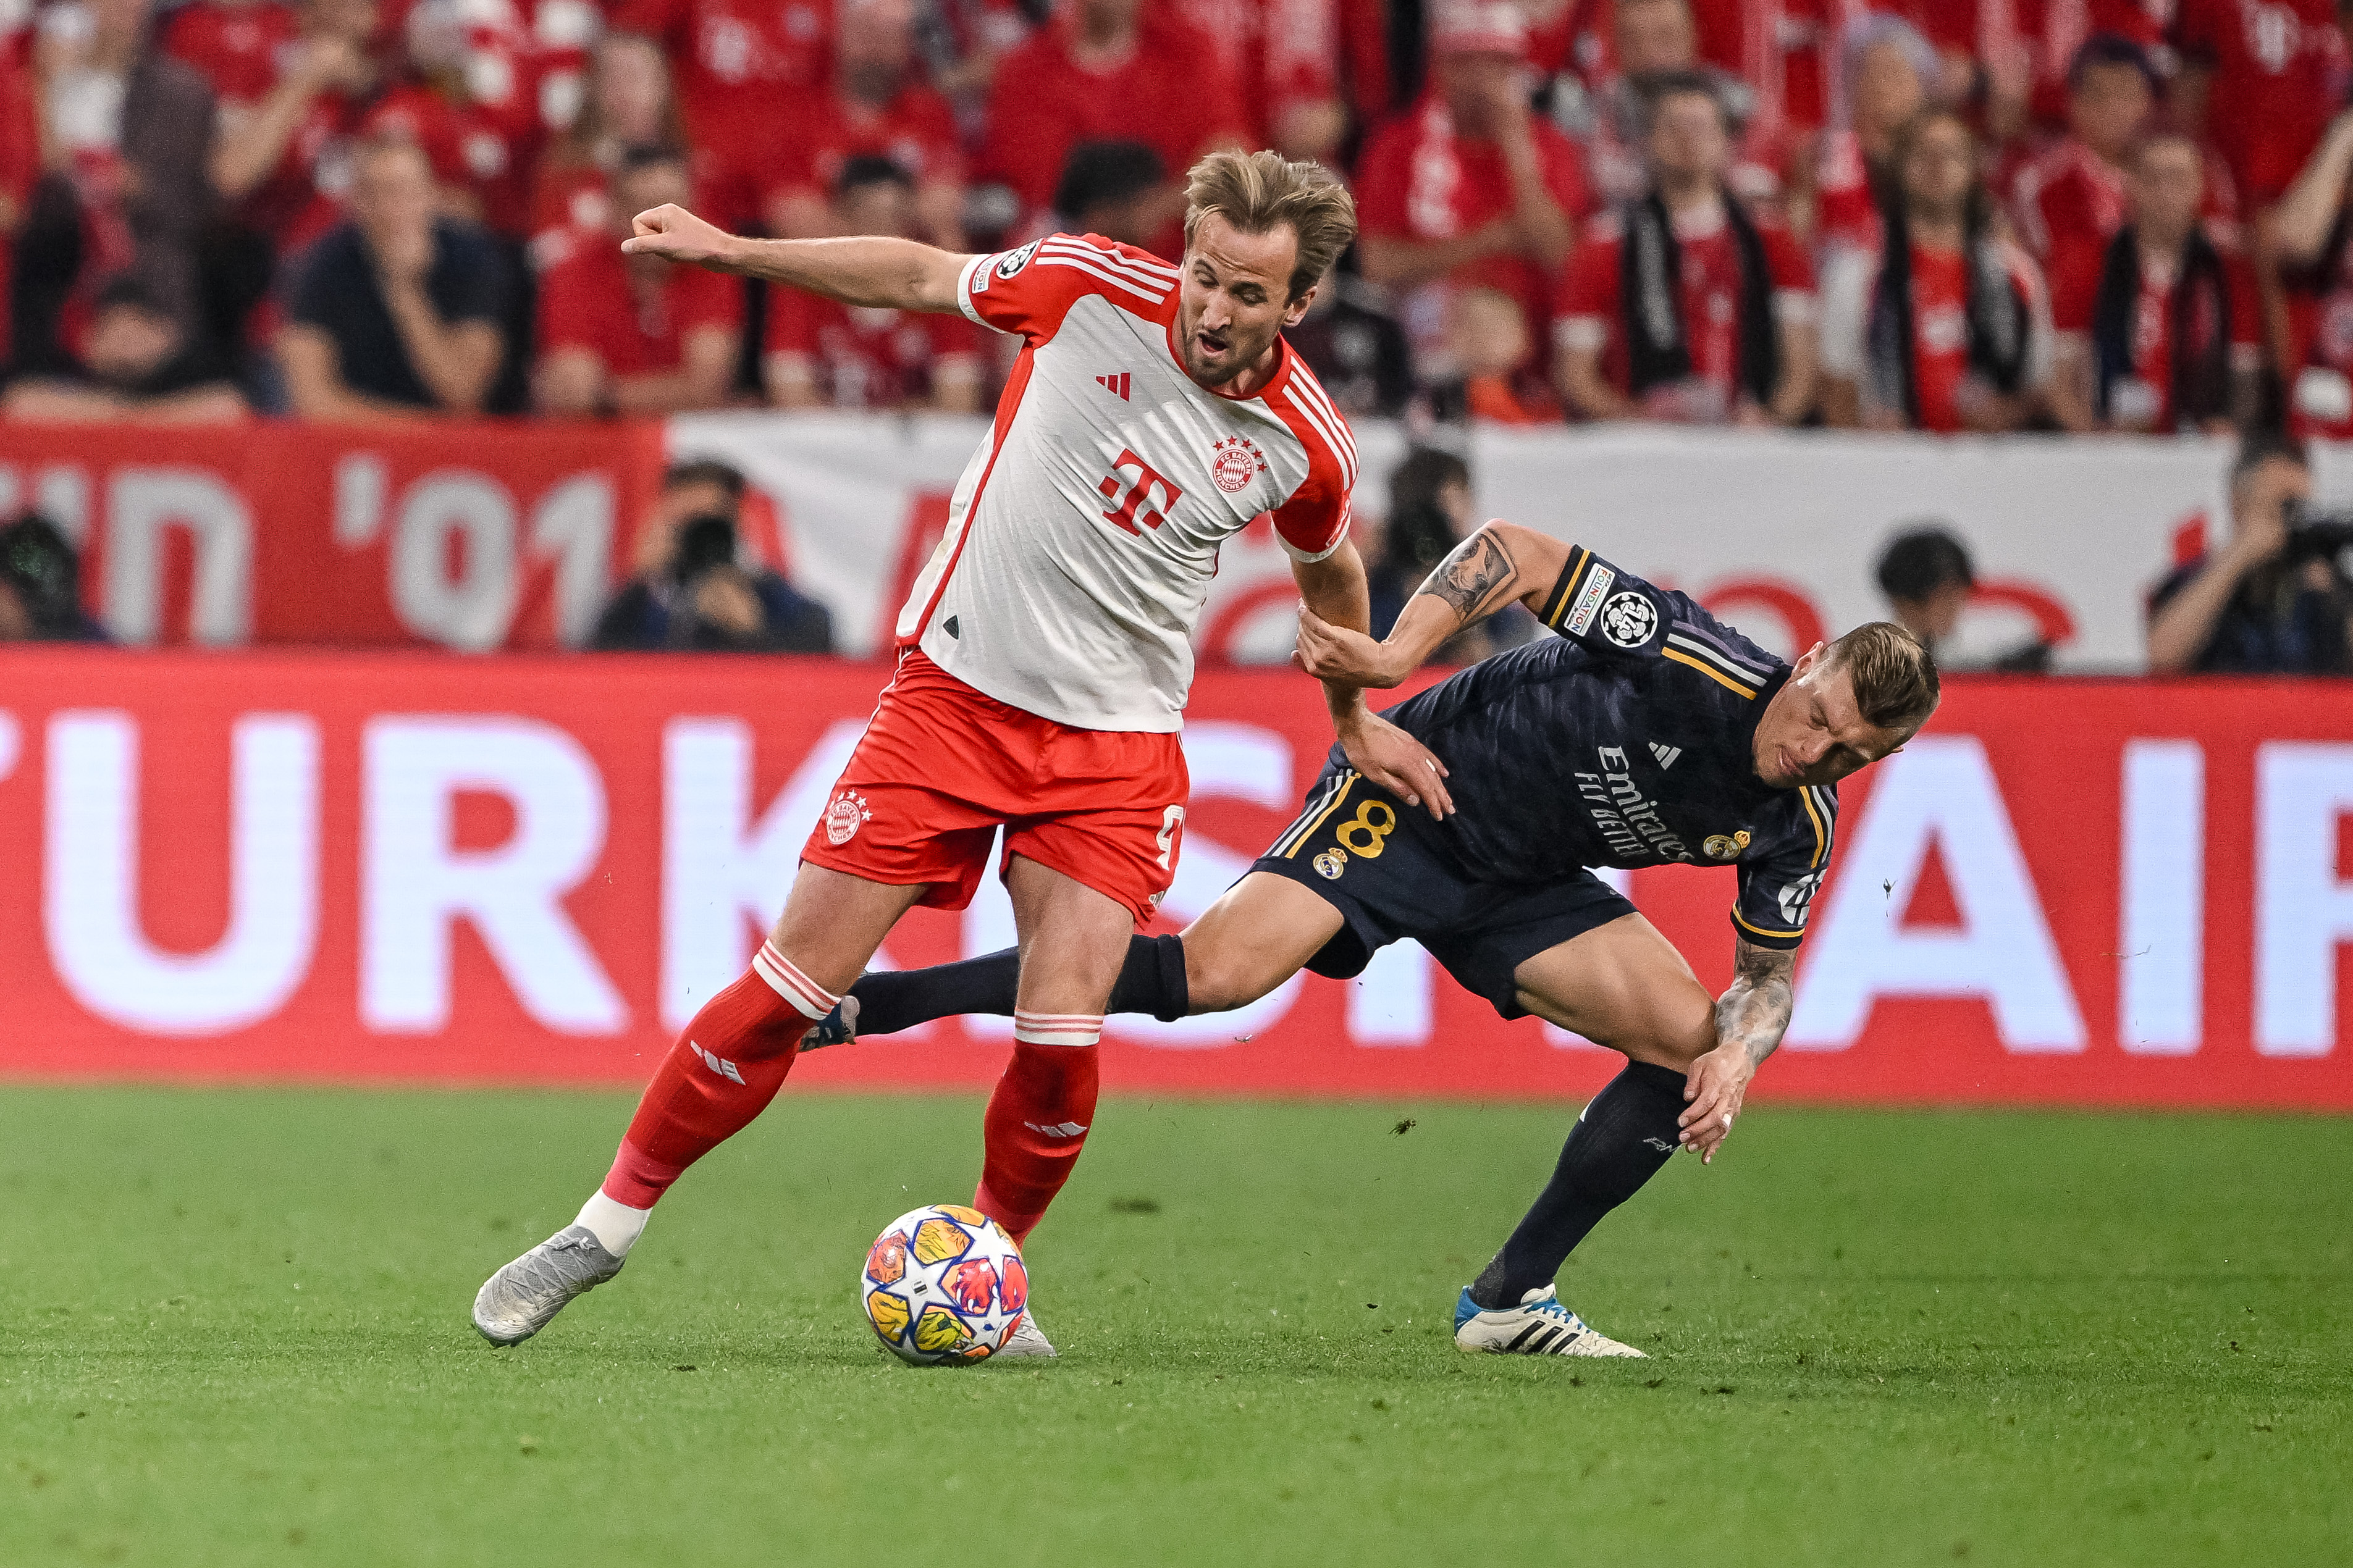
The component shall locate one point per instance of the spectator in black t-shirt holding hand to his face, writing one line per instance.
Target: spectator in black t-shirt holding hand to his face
(396, 311)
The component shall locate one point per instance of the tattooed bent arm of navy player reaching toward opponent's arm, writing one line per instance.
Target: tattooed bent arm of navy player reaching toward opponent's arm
(1484, 575)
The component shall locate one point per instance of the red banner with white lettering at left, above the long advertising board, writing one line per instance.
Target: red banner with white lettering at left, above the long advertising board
(467, 537)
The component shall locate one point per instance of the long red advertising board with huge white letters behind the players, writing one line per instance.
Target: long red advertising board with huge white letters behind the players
(338, 866)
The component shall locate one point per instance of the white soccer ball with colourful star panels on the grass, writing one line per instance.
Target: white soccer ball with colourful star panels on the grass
(945, 1285)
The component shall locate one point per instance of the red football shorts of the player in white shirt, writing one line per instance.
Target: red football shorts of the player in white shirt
(942, 765)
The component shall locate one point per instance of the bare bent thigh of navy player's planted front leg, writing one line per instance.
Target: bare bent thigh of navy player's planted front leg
(1627, 989)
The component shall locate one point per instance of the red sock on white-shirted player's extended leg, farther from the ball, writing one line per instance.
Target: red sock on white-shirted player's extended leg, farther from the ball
(721, 1073)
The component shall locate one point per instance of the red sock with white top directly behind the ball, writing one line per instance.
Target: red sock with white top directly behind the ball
(1039, 1120)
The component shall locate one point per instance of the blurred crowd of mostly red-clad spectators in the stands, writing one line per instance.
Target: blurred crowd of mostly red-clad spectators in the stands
(1938, 215)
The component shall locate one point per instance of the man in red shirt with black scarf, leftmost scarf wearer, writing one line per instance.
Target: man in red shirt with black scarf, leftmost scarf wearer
(1686, 307)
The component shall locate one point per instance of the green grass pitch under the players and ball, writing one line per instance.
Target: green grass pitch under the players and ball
(234, 1332)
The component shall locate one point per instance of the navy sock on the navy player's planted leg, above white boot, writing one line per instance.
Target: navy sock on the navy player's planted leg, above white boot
(1625, 1134)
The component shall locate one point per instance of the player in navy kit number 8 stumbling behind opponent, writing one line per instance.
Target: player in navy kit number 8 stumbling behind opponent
(1644, 735)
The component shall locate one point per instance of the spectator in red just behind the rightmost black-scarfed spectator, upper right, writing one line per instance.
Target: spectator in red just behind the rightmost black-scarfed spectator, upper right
(2072, 199)
